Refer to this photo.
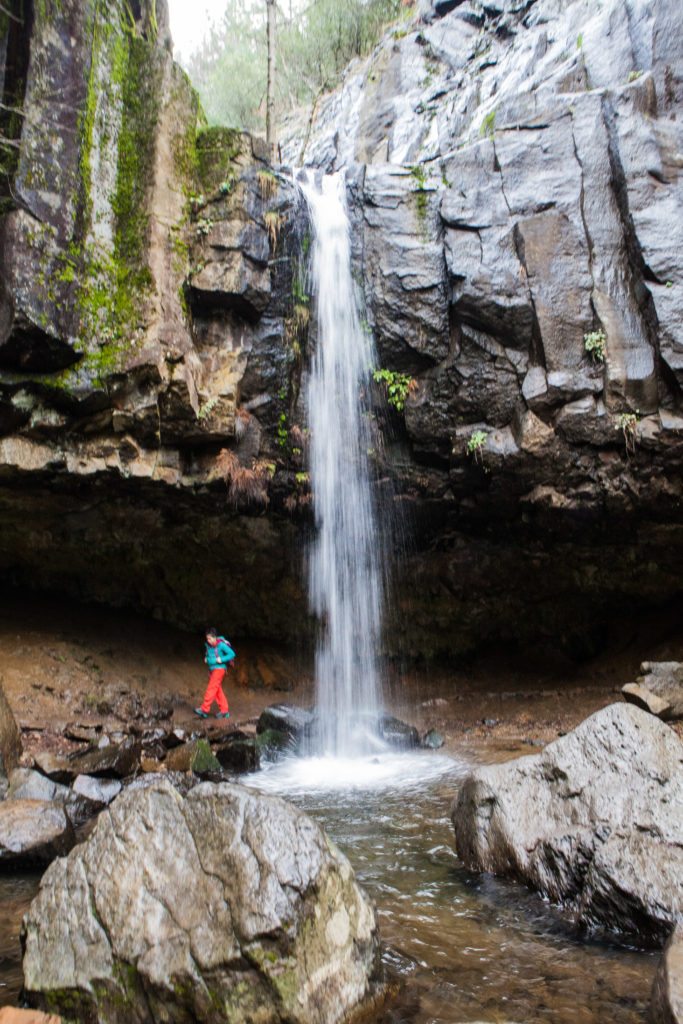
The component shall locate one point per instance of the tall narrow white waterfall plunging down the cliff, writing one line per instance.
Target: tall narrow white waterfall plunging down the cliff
(345, 568)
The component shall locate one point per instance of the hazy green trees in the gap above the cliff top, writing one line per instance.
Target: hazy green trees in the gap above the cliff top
(315, 42)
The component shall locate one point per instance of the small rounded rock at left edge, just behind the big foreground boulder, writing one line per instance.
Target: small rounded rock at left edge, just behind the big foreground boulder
(33, 832)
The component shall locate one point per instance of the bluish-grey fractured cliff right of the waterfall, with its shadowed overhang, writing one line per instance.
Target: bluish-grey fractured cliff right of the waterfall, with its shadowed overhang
(518, 197)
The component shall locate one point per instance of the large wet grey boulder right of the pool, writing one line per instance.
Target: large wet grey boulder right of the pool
(592, 822)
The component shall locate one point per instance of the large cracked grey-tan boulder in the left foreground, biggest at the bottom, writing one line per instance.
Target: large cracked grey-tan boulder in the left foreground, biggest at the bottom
(226, 906)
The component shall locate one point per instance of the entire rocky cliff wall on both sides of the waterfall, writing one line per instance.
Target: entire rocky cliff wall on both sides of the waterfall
(516, 187)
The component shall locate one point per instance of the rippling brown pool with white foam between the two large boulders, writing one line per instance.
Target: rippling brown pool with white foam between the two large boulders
(468, 948)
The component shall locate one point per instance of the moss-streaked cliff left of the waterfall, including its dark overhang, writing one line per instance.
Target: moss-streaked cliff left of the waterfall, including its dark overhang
(143, 323)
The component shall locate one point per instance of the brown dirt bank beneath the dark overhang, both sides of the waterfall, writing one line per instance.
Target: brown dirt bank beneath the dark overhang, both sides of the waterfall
(63, 664)
